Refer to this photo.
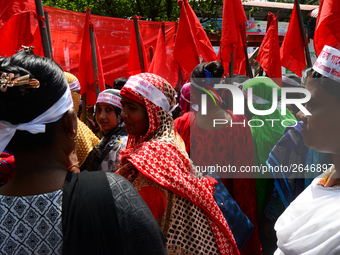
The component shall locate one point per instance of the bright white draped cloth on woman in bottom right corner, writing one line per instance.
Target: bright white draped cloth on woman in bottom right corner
(311, 223)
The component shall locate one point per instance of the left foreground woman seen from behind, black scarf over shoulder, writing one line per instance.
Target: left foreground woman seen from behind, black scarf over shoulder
(45, 209)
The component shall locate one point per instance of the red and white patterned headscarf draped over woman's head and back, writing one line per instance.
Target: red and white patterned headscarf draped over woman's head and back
(159, 156)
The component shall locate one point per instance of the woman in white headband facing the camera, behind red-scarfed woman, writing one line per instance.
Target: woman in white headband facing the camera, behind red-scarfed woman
(105, 156)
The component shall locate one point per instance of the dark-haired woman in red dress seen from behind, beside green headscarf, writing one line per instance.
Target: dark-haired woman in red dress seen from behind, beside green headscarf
(223, 144)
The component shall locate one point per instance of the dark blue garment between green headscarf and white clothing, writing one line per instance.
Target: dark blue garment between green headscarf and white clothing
(291, 154)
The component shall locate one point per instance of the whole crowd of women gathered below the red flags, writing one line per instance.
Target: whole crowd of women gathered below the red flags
(150, 182)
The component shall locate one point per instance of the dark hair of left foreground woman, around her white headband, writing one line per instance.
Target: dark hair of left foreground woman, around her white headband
(19, 105)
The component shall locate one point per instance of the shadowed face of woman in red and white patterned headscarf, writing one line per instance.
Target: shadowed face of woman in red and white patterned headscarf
(135, 117)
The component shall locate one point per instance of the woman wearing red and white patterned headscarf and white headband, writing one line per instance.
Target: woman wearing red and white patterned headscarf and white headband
(161, 172)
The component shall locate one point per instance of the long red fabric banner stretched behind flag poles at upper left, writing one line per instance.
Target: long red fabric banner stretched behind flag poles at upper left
(113, 35)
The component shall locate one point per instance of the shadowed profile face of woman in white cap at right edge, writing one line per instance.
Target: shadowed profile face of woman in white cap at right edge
(321, 129)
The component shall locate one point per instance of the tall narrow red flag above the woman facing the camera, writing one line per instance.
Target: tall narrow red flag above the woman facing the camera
(86, 75)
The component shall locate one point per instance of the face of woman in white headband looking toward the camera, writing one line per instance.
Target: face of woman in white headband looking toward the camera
(106, 116)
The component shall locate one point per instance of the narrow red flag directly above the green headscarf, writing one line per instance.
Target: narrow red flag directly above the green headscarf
(269, 53)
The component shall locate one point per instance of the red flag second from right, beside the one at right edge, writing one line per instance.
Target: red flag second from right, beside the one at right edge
(292, 49)
